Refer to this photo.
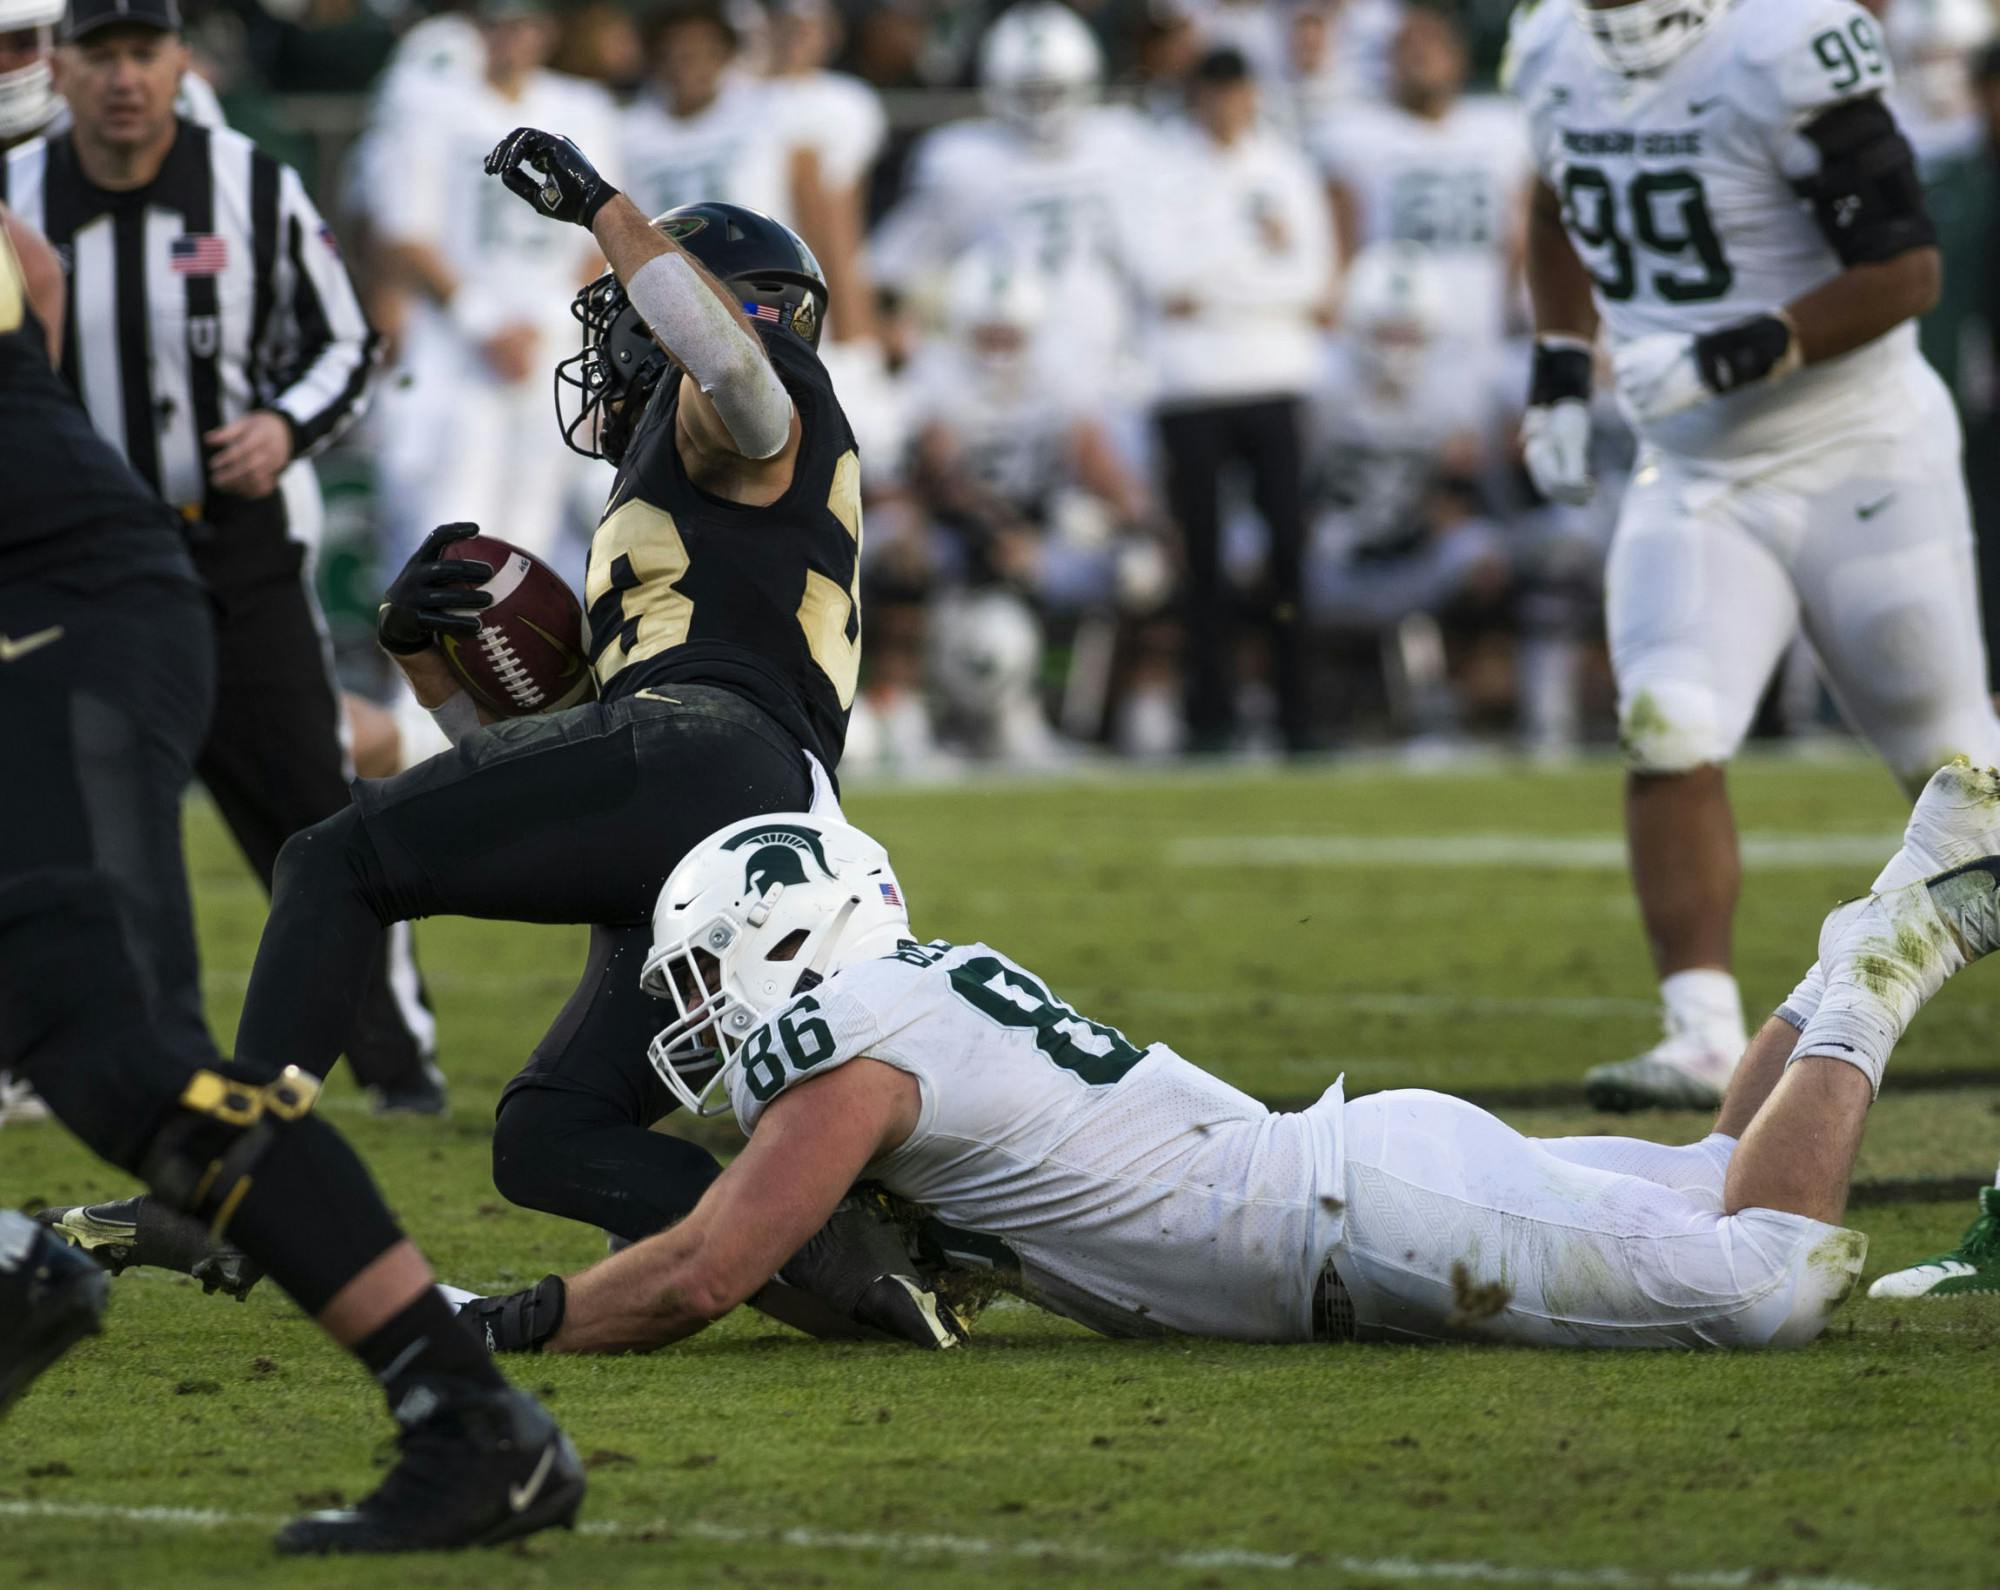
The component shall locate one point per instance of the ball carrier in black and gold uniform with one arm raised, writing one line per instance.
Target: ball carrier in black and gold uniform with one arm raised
(725, 635)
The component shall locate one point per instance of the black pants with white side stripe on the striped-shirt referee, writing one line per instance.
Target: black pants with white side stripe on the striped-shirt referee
(275, 763)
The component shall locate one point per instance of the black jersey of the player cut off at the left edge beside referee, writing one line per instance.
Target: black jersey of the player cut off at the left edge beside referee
(67, 499)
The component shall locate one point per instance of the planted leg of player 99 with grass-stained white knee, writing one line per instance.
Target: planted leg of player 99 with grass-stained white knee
(1699, 615)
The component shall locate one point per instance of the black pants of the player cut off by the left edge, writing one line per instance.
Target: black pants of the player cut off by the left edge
(103, 701)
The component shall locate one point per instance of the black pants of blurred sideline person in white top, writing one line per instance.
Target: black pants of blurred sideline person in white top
(1199, 445)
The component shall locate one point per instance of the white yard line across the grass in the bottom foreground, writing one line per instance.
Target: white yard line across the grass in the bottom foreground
(1035, 1551)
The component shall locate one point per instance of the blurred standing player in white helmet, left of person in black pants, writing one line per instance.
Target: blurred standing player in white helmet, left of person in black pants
(1051, 175)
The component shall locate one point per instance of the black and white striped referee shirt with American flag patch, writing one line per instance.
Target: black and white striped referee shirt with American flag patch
(205, 295)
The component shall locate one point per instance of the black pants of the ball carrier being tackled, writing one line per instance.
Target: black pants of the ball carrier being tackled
(575, 817)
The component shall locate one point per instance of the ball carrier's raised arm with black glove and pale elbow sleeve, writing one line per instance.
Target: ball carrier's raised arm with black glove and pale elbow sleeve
(737, 421)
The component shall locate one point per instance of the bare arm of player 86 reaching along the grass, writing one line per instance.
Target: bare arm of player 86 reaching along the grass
(807, 1151)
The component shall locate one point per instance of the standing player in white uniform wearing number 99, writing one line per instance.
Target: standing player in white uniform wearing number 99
(1727, 197)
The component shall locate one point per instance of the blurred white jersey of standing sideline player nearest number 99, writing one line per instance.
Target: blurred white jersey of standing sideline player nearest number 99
(1453, 185)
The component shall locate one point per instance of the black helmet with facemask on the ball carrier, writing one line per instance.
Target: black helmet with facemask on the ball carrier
(619, 367)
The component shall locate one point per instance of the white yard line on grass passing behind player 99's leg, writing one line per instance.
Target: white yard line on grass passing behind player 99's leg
(1549, 853)
